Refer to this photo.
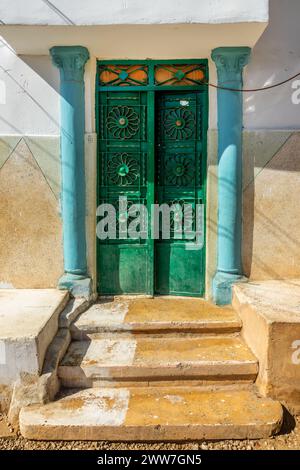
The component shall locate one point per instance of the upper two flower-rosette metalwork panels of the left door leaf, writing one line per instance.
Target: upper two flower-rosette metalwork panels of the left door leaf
(123, 145)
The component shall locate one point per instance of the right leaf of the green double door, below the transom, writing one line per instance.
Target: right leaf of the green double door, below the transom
(180, 171)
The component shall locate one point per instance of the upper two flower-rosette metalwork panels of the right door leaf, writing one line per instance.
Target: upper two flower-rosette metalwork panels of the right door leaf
(179, 147)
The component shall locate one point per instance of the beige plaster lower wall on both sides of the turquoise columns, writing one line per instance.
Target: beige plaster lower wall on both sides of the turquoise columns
(31, 232)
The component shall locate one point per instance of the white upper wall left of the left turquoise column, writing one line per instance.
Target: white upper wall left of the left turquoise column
(29, 101)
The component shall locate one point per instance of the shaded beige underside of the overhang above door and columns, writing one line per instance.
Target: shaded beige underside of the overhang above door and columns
(134, 41)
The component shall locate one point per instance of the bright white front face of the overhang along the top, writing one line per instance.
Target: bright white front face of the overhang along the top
(105, 12)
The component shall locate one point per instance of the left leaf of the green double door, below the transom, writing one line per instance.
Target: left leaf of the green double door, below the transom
(125, 265)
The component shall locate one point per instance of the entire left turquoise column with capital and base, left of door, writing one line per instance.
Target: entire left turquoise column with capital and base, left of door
(71, 61)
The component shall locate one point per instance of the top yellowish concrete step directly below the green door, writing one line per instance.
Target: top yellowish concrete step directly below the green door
(160, 314)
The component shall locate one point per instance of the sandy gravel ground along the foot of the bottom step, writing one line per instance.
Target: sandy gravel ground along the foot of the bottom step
(288, 439)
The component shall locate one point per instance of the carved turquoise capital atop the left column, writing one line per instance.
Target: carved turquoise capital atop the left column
(70, 60)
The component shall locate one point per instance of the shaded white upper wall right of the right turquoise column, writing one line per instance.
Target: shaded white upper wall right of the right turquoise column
(275, 57)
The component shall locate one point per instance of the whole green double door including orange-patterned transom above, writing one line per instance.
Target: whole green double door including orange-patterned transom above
(151, 126)
